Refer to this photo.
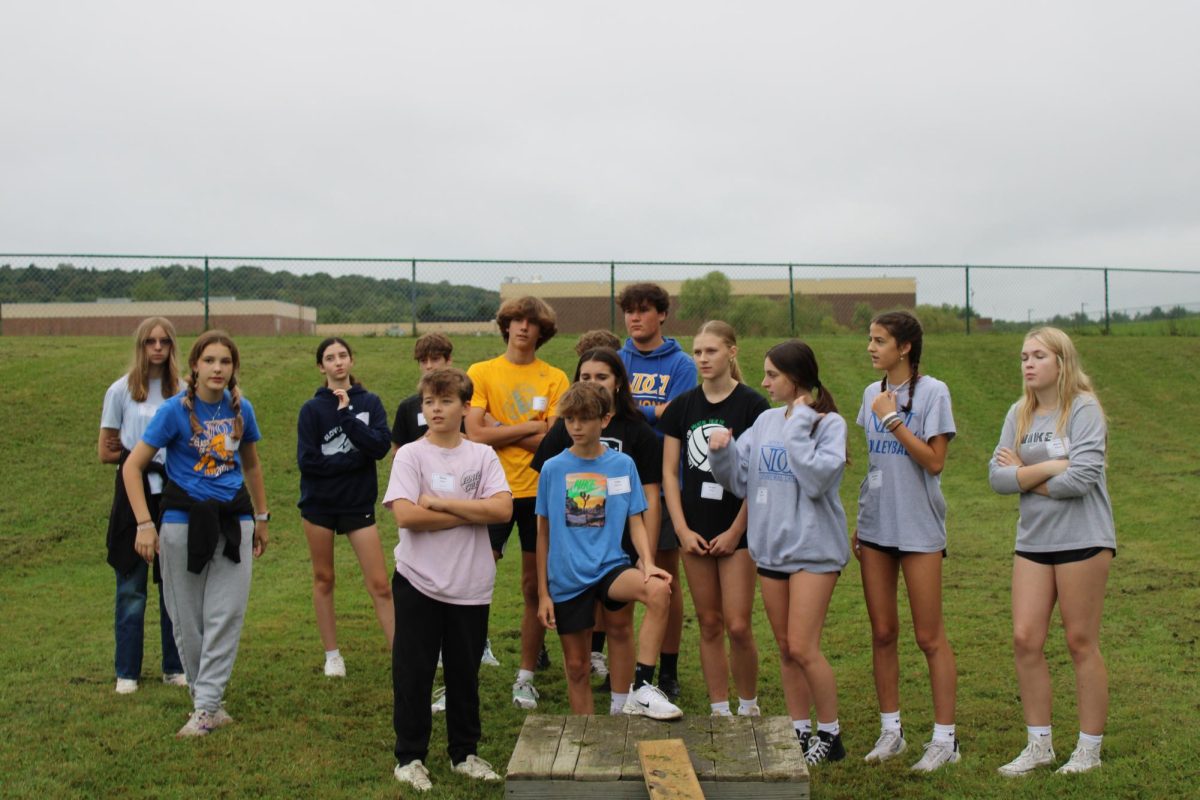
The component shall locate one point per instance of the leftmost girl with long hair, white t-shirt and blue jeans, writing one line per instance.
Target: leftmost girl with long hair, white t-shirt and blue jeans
(129, 406)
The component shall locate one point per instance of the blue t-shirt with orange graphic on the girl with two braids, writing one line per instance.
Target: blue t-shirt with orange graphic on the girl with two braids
(205, 465)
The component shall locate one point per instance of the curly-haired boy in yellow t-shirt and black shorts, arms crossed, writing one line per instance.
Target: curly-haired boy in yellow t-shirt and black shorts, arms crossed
(513, 407)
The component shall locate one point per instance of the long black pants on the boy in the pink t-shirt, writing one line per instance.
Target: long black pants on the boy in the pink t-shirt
(424, 627)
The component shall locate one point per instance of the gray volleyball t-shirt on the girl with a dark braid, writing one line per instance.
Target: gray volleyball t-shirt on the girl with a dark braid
(899, 503)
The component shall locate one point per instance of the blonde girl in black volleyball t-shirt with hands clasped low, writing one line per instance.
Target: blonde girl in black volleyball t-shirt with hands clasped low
(711, 522)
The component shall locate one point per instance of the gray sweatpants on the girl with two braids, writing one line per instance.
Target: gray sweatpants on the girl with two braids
(207, 610)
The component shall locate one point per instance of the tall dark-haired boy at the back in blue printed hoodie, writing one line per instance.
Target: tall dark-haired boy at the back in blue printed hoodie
(659, 371)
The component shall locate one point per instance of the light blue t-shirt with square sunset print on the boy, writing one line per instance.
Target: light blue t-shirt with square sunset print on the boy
(586, 502)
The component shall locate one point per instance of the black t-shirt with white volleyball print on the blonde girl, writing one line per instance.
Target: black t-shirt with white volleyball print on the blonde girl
(692, 419)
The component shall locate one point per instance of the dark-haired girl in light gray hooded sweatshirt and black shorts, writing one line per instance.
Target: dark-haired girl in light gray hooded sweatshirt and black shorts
(789, 467)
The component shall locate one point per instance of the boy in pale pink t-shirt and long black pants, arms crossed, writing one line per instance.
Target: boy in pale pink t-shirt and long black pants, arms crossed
(445, 491)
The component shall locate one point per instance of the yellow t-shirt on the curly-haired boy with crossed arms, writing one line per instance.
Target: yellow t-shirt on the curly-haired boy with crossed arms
(515, 393)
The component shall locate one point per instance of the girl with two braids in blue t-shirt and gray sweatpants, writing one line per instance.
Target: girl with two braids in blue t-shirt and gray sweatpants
(208, 520)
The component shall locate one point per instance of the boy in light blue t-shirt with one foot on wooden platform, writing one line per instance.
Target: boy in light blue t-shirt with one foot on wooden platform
(585, 497)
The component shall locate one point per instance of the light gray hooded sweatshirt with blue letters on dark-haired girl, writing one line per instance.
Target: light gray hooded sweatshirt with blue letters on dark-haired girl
(790, 480)
